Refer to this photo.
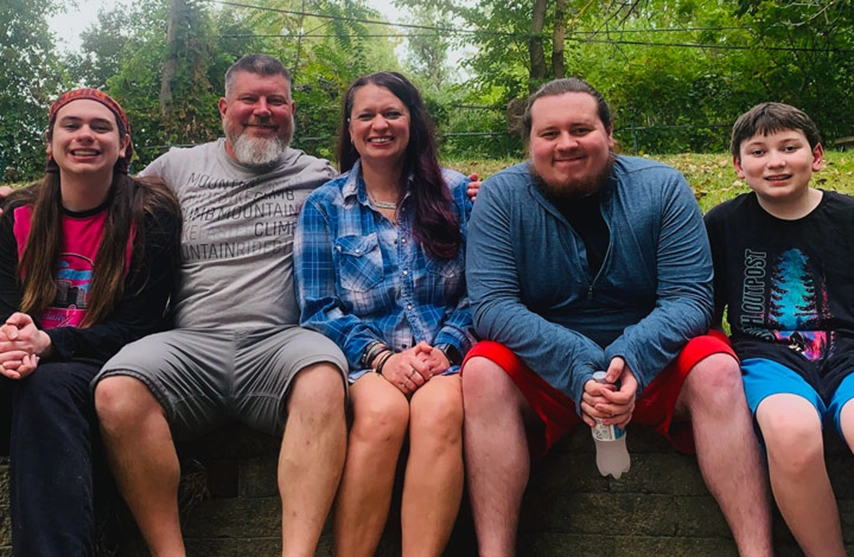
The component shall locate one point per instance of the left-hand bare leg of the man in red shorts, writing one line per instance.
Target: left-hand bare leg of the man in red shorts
(496, 452)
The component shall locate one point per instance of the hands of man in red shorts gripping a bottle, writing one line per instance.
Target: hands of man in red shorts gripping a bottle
(607, 403)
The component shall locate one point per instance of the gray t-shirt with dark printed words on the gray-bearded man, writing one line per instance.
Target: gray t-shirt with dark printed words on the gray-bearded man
(237, 244)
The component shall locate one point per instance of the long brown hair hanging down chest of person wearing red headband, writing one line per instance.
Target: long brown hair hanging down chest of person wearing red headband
(129, 202)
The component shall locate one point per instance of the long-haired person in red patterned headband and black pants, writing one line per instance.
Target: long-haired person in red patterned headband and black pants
(88, 259)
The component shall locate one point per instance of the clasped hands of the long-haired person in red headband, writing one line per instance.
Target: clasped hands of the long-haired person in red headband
(21, 343)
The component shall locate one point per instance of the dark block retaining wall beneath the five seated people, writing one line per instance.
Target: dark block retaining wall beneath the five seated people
(661, 507)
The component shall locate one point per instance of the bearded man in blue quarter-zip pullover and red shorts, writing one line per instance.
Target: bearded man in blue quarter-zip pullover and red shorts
(582, 260)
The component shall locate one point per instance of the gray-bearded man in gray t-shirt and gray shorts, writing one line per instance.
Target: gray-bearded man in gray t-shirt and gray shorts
(236, 351)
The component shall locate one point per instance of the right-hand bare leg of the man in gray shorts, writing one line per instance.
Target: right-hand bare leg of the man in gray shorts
(312, 456)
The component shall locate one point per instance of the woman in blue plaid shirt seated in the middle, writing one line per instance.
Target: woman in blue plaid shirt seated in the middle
(379, 259)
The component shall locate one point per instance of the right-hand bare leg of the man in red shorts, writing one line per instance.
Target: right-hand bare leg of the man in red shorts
(727, 450)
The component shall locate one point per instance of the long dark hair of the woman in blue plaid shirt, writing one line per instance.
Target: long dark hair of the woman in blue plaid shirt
(435, 224)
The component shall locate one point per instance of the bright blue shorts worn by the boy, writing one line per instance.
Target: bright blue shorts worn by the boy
(763, 378)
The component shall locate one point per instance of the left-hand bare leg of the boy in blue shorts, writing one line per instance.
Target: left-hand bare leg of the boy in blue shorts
(792, 431)
